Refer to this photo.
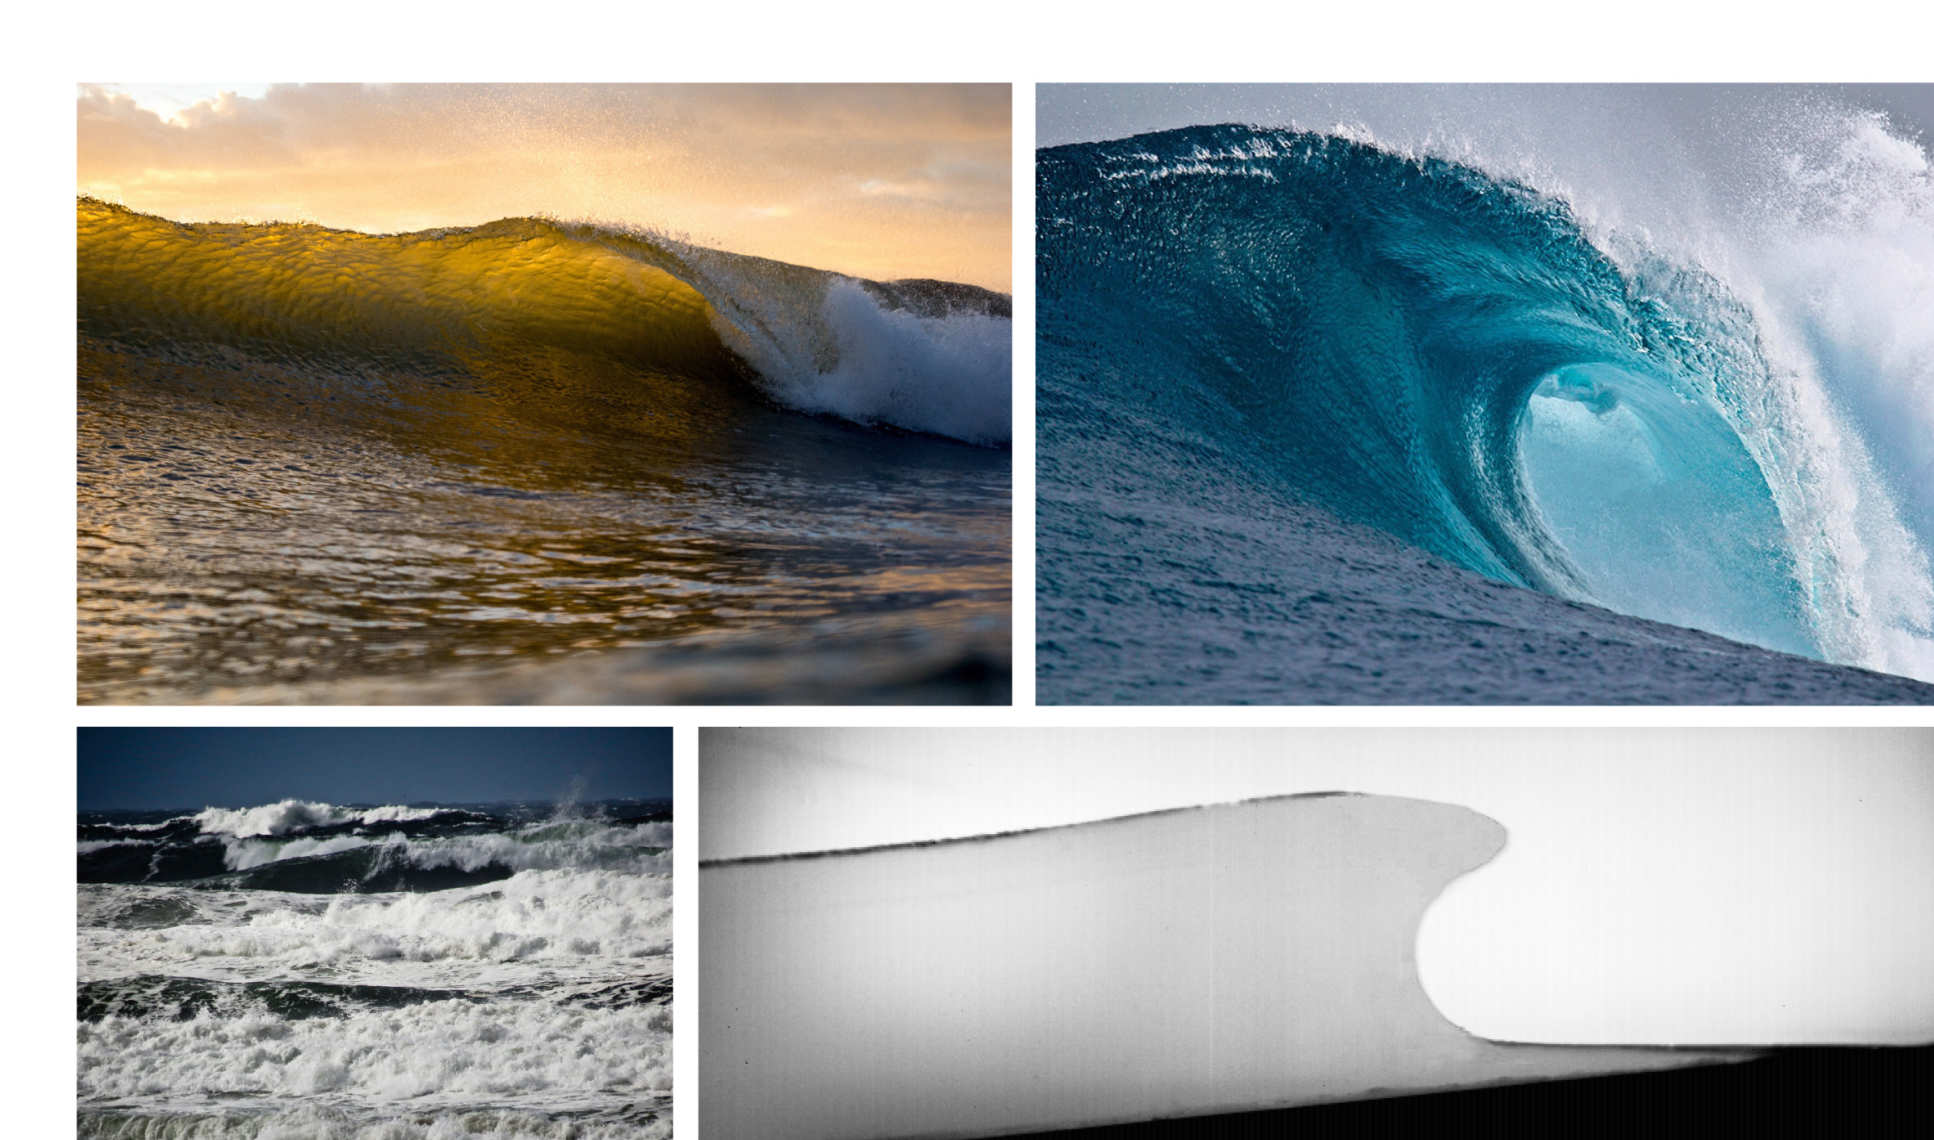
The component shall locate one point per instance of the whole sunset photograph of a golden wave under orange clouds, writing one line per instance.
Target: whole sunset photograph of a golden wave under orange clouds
(544, 394)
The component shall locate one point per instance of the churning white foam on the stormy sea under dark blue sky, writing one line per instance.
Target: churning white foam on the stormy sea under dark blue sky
(512, 1062)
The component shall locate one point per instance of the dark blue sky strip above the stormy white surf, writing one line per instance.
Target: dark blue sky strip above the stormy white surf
(245, 767)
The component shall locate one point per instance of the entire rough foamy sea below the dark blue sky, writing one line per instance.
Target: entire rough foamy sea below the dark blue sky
(376, 973)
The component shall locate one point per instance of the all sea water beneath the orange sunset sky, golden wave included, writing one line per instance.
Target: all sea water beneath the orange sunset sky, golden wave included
(531, 462)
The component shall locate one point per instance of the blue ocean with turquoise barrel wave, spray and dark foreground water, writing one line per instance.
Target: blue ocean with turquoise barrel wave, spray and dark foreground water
(1333, 419)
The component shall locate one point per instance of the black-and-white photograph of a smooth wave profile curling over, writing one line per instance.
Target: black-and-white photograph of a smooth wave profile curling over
(1196, 932)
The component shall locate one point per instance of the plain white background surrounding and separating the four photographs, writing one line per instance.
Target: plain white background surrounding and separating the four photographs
(53, 49)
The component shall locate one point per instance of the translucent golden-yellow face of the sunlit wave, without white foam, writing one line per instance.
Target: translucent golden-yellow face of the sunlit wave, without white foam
(310, 291)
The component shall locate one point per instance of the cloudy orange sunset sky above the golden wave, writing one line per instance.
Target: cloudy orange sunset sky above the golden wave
(879, 181)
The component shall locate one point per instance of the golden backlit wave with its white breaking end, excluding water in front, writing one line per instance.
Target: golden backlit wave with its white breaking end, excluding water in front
(519, 301)
